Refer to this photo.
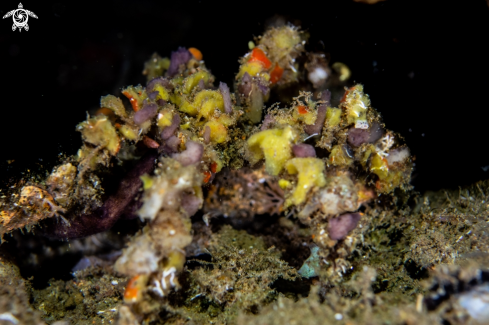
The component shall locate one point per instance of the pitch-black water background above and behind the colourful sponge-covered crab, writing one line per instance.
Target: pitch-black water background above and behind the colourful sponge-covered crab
(424, 65)
